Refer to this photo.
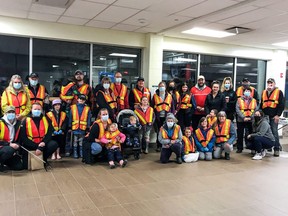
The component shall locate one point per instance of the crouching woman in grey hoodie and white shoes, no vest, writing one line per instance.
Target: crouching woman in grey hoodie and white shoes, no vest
(262, 137)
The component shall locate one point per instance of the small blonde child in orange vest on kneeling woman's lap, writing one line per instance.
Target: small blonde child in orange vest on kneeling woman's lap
(113, 139)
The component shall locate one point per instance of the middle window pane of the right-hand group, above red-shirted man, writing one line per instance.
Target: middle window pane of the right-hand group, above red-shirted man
(216, 68)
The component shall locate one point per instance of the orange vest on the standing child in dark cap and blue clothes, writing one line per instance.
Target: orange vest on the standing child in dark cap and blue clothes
(79, 122)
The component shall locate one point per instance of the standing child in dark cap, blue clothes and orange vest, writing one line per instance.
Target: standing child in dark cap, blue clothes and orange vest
(79, 121)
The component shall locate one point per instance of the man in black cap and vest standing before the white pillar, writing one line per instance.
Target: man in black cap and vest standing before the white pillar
(137, 93)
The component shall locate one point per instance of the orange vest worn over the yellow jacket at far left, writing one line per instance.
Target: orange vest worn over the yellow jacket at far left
(18, 101)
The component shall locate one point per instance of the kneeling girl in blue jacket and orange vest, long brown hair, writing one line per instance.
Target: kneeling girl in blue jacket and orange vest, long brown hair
(204, 139)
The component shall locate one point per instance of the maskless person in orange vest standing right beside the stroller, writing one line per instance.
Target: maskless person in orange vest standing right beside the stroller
(146, 117)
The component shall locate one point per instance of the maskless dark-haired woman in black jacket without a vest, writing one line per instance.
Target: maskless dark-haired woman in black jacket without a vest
(215, 100)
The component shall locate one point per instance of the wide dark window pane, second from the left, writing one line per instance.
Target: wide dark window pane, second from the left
(55, 61)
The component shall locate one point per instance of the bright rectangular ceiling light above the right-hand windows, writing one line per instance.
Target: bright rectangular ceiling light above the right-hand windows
(208, 32)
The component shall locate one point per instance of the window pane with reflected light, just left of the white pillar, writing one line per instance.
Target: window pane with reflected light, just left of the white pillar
(110, 59)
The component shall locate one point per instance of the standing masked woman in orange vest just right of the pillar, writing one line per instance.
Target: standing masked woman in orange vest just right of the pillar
(162, 102)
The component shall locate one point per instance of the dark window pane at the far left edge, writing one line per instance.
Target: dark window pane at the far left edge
(14, 58)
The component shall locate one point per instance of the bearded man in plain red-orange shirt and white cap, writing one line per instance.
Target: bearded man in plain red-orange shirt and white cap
(200, 92)
